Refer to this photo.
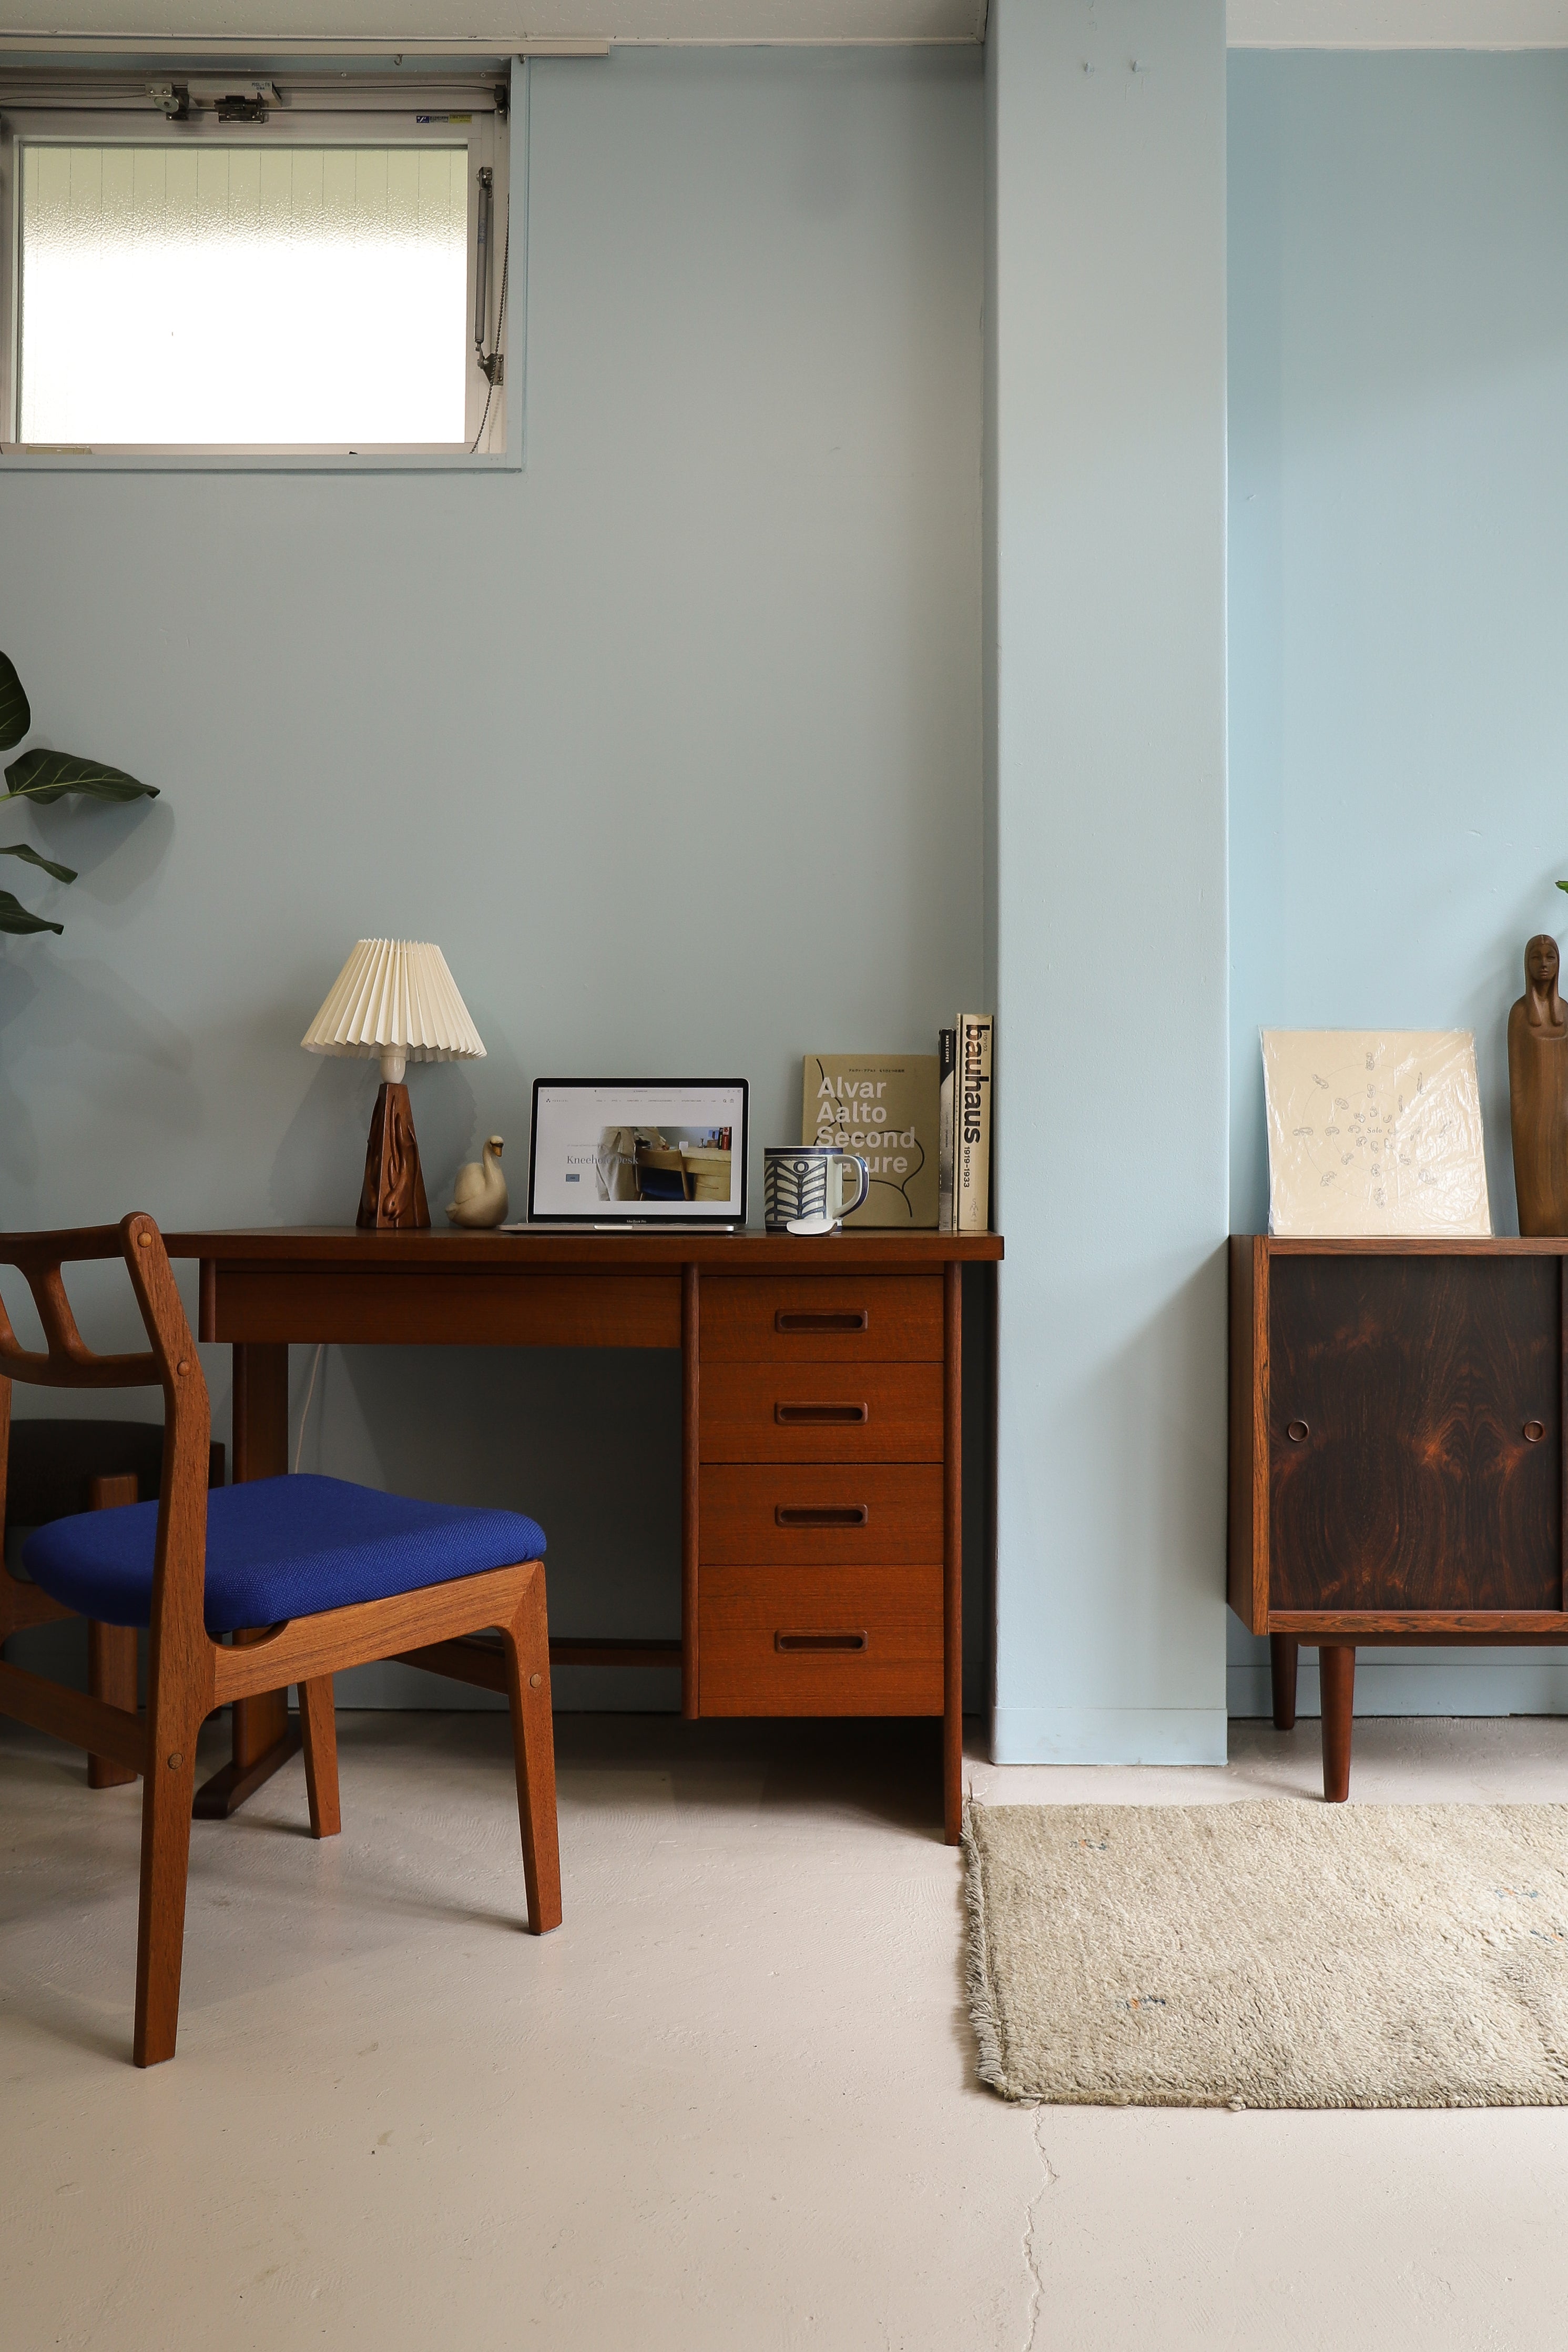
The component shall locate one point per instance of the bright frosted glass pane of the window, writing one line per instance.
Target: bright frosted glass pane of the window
(243, 295)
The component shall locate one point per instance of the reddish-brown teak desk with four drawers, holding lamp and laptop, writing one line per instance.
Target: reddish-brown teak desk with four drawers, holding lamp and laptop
(822, 1443)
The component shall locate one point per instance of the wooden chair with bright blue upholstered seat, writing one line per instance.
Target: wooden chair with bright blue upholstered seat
(337, 1575)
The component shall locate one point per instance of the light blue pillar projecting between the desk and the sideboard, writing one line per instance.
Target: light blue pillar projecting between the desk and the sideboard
(1106, 648)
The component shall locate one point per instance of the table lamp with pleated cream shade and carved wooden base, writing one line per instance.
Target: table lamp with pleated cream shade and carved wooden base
(398, 1001)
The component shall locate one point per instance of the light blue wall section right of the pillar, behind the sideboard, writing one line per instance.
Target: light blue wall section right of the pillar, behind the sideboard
(1398, 599)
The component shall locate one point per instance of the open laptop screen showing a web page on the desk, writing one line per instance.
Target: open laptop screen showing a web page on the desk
(638, 1154)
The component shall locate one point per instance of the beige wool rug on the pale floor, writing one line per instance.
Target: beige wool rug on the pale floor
(1271, 1956)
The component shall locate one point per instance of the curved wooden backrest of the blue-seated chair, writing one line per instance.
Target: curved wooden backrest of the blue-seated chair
(168, 1363)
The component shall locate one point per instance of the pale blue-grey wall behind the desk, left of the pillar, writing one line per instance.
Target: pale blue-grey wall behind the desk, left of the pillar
(674, 740)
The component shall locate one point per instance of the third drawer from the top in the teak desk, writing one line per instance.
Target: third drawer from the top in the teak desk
(833, 1514)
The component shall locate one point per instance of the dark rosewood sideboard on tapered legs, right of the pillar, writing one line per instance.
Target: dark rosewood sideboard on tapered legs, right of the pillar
(1395, 1455)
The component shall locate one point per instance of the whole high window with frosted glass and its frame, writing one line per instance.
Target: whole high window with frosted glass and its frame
(274, 274)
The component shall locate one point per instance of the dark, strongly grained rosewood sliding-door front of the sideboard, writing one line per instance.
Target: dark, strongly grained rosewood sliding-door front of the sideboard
(1398, 1457)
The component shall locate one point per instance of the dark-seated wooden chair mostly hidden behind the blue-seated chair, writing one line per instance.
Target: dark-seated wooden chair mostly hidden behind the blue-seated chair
(53, 1471)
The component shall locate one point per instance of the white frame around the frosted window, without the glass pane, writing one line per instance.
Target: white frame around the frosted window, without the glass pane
(354, 114)
